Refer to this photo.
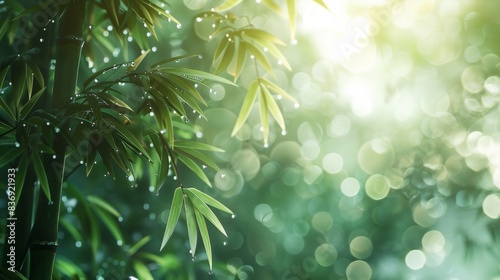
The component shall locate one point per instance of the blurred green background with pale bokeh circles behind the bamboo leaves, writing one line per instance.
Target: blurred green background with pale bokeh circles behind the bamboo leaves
(388, 169)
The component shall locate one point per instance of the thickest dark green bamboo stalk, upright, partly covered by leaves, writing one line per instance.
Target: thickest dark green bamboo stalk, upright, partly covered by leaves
(45, 230)
